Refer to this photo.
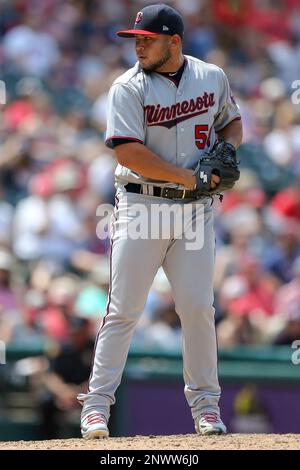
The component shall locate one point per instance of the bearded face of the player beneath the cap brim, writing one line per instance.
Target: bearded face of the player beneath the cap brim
(153, 52)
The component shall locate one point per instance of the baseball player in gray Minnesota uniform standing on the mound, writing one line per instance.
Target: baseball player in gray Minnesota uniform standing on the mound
(163, 115)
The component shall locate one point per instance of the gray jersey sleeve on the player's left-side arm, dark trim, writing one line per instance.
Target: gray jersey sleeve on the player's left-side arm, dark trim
(125, 115)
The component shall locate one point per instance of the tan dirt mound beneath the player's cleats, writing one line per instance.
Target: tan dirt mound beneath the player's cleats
(179, 442)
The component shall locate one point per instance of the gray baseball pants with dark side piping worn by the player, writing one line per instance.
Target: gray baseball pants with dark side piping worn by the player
(134, 263)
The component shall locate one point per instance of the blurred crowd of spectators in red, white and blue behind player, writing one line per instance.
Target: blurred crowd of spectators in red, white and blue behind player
(58, 59)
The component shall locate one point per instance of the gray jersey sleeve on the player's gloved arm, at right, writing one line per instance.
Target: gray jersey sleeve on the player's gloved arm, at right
(228, 108)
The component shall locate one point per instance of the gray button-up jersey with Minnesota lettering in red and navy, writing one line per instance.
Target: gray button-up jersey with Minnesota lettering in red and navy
(178, 124)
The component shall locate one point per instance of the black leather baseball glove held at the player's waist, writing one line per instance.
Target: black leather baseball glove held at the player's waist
(221, 161)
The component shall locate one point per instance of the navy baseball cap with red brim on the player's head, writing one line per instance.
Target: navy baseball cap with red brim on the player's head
(156, 19)
